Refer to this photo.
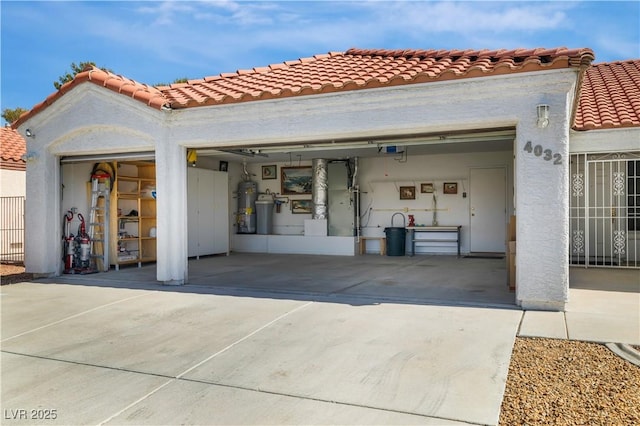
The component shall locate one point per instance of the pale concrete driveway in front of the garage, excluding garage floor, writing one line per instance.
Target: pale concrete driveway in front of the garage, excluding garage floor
(90, 354)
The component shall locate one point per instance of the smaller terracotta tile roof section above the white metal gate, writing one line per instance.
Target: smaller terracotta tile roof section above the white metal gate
(610, 96)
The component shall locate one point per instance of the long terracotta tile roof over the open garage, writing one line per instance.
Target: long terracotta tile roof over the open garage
(332, 72)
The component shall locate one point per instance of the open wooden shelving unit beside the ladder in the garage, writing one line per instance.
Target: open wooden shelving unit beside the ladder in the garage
(133, 213)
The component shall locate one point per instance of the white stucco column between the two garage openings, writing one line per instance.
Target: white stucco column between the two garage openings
(171, 187)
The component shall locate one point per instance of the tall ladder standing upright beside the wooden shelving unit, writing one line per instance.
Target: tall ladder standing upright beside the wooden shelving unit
(99, 220)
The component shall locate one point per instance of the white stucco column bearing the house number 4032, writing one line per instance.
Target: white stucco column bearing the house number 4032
(542, 210)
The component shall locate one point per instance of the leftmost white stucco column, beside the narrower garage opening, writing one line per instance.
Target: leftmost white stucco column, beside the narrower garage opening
(43, 222)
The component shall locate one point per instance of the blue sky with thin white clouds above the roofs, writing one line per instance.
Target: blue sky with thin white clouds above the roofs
(159, 41)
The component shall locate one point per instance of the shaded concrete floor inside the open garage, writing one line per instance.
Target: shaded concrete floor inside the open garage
(402, 279)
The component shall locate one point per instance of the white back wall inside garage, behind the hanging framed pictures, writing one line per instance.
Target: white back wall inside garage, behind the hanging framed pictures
(380, 178)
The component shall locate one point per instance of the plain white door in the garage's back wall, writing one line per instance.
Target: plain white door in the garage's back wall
(488, 205)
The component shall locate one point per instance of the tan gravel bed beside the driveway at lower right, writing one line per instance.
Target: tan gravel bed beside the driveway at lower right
(563, 382)
